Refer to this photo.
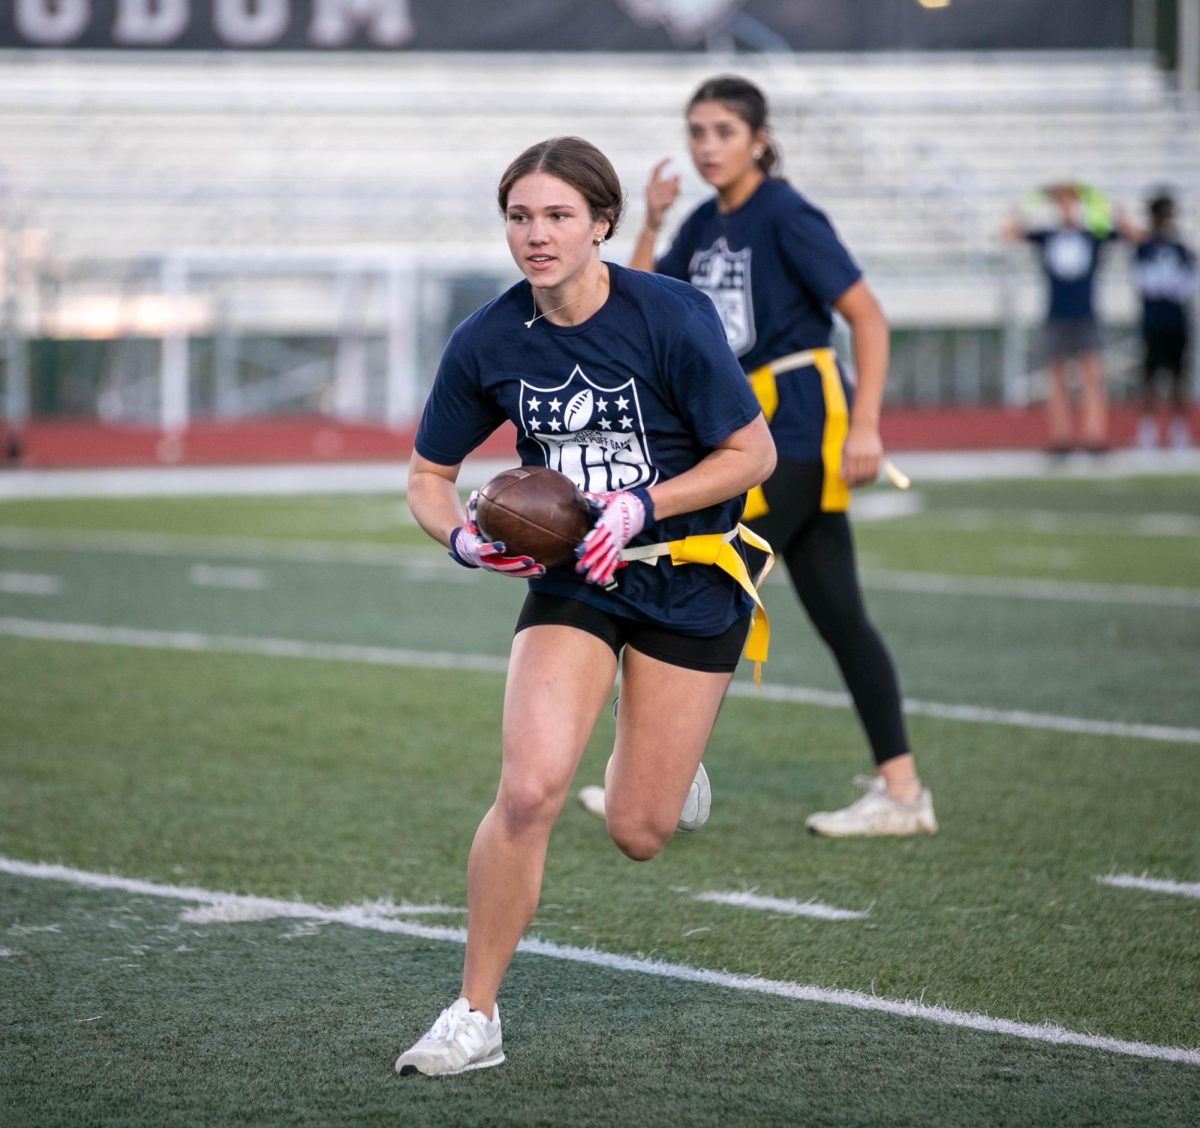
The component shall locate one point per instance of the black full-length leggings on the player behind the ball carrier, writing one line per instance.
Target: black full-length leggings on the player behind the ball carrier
(819, 551)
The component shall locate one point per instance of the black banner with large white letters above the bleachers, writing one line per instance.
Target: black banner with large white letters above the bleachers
(571, 26)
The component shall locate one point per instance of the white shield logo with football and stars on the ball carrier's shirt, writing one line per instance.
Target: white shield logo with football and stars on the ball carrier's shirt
(593, 435)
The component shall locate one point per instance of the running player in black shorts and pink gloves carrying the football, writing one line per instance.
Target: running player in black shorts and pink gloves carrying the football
(623, 382)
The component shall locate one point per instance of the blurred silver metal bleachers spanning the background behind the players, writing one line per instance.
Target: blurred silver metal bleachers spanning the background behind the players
(116, 167)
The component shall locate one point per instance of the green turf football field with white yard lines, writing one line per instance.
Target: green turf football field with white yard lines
(209, 703)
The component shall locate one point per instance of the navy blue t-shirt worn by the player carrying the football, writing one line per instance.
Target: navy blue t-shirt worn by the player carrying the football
(638, 394)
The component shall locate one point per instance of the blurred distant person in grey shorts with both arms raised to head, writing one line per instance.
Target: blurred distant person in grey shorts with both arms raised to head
(1071, 254)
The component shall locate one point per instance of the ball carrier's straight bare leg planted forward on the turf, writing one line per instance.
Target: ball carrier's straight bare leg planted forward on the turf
(560, 679)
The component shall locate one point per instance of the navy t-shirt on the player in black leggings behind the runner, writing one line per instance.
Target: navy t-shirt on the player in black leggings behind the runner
(773, 268)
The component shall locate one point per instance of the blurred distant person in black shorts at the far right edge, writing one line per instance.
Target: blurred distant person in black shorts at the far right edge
(1166, 273)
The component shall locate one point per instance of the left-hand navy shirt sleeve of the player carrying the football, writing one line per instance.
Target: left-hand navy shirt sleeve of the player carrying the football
(458, 416)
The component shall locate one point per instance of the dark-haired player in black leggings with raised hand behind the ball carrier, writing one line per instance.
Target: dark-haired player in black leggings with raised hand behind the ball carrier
(776, 271)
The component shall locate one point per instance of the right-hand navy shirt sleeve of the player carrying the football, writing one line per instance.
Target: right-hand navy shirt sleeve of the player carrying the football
(709, 386)
